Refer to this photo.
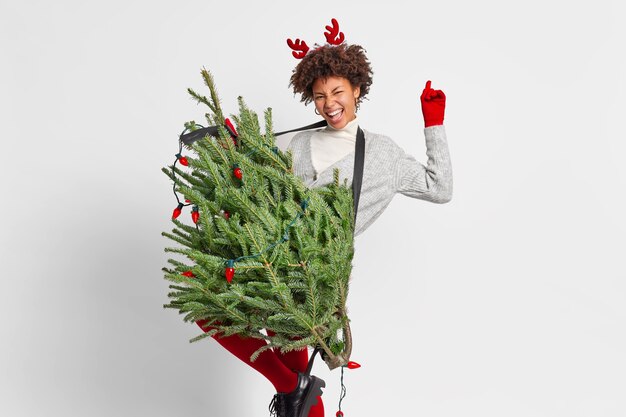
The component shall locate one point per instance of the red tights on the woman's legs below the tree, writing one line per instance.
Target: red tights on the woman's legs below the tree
(279, 368)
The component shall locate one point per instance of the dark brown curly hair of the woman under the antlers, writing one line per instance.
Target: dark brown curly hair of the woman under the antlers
(347, 61)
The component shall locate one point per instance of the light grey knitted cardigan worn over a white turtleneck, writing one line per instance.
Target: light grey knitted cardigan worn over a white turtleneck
(387, 170)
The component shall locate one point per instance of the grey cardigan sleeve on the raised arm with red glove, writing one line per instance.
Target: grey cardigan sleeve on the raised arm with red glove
(432, 182)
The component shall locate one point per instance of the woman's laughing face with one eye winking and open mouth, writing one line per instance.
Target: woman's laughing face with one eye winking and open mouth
(335, 100)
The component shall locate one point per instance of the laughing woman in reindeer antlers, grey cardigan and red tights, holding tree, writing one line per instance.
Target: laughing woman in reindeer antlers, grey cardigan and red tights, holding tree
(336, 77)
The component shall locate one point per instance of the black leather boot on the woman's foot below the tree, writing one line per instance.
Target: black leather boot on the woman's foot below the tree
(298, 402)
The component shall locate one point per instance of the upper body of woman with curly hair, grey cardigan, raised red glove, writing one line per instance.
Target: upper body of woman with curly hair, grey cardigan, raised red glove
(337, 79)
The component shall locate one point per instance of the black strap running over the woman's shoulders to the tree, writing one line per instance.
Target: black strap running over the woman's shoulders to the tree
(359, 153)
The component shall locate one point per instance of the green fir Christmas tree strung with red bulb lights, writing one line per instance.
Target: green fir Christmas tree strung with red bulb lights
(262, 250)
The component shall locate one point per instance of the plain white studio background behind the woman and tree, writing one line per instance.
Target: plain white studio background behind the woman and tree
(508, 301)
